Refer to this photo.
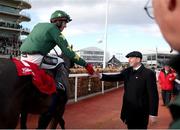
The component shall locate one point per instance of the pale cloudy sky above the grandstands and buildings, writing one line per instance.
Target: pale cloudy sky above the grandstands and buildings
(129, 27)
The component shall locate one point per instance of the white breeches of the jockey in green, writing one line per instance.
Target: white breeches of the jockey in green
(37, 59)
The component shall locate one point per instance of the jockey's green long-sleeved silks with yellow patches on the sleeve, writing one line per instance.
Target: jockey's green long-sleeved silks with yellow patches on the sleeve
(44, 37)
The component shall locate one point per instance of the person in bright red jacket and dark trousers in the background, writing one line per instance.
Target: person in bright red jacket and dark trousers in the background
(166, 79)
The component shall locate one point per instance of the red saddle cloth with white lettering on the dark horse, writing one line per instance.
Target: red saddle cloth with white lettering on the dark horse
(44, 82)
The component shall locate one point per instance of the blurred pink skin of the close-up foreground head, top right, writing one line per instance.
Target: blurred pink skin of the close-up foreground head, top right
(167, 14)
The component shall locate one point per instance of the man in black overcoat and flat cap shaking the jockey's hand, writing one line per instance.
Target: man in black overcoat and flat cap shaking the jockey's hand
(140, 100)
